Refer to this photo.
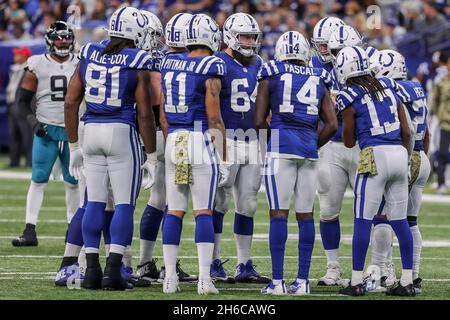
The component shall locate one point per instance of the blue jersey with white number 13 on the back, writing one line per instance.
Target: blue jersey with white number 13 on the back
(377, 121)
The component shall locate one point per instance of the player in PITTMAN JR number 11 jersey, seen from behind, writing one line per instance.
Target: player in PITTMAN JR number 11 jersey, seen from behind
(195, 132)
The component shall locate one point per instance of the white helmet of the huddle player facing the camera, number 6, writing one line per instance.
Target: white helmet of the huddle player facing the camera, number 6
(241, 24)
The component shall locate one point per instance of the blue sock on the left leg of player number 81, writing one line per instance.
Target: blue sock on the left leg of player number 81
(92, 224)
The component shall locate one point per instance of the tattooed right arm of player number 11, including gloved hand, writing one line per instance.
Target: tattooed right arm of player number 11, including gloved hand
(212, 103)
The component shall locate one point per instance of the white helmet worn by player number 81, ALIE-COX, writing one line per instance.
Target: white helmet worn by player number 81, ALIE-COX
(128, 23)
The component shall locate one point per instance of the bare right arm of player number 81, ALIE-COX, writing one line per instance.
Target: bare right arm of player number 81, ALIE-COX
(145, 116)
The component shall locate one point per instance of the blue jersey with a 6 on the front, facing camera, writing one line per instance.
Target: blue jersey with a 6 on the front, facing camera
(238, 94)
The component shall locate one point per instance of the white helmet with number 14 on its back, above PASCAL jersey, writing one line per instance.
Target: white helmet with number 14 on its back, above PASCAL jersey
(292, 45)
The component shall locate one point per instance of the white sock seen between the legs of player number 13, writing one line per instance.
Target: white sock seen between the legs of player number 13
(382, 238)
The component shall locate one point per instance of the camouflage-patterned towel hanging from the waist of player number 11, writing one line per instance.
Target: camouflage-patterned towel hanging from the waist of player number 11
(183, 169)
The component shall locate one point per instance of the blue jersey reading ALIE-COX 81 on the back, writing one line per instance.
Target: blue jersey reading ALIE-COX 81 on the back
(110, 82)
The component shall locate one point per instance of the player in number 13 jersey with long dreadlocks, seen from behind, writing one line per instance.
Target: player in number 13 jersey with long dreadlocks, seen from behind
(373, 115)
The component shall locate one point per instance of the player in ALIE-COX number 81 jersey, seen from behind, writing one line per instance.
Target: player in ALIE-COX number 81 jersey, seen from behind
(112, 78)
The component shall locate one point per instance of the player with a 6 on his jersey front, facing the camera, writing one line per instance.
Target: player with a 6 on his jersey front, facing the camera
(237, 100)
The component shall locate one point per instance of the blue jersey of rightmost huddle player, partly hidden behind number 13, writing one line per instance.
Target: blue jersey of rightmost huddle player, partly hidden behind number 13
(413, 96)
